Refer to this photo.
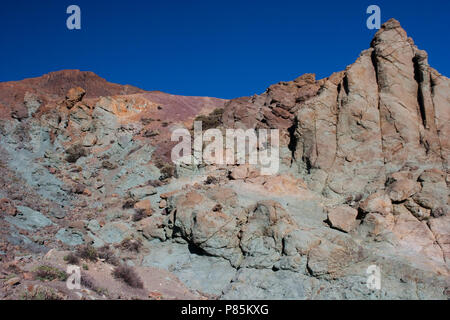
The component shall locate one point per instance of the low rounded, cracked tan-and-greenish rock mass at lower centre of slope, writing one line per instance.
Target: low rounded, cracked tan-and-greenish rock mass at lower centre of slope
(246, 236)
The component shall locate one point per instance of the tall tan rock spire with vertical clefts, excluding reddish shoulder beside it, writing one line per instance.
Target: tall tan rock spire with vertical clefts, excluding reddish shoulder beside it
(382, 113)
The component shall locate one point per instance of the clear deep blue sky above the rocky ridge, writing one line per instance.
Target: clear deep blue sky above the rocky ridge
(215, 48)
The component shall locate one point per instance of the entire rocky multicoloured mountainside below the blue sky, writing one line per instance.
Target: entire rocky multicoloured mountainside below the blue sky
(363, 181)
